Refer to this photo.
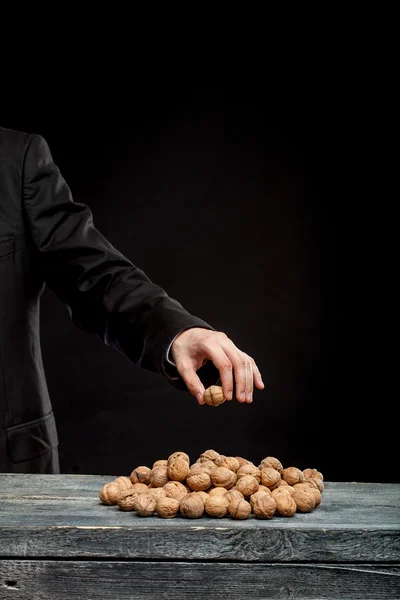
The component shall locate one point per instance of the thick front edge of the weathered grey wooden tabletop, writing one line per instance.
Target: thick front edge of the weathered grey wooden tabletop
(217, 541)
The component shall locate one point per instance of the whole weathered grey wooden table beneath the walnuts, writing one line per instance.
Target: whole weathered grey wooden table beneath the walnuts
(58, 542)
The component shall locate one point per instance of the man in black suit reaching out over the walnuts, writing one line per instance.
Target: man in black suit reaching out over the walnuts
(48, 239)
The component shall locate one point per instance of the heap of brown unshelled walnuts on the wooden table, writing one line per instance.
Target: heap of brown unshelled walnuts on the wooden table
(217, 486)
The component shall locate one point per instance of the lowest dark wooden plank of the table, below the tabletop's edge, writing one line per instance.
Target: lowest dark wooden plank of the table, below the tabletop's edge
(66, 580)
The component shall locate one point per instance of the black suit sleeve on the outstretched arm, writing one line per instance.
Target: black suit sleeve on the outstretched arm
(106, 294)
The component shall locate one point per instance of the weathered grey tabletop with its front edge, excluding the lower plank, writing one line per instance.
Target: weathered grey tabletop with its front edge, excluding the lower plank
(61, 516)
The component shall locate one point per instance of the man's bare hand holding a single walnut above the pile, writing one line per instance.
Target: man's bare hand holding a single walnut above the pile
(193, 346)
